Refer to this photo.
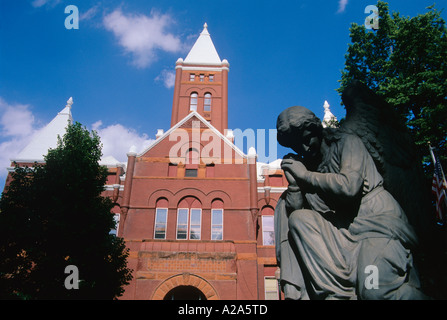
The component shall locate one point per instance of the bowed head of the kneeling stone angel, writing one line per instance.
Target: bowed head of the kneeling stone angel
(299, 129)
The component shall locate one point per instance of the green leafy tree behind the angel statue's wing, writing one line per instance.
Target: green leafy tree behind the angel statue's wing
(405, 61)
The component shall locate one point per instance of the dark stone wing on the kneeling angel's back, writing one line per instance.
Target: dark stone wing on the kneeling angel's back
(388, 141)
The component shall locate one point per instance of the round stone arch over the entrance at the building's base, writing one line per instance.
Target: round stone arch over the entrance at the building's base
(185, 279)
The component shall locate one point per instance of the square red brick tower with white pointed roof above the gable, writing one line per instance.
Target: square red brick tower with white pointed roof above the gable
(201, 84)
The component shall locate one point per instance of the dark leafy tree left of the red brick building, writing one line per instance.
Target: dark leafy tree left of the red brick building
(53, 216)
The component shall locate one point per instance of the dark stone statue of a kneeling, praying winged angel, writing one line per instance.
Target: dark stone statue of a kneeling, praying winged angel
(338, 222)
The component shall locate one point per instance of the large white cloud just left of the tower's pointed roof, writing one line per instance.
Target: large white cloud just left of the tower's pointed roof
(141, 35)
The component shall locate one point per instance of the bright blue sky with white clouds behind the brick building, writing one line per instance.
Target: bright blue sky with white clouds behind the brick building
(281, 53)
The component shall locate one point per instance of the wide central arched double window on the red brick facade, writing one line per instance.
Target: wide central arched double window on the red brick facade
(189, 219)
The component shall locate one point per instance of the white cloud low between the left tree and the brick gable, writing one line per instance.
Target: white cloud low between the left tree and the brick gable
(117, 140)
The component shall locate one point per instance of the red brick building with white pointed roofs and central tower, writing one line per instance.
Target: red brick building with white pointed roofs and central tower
(194, 210)
